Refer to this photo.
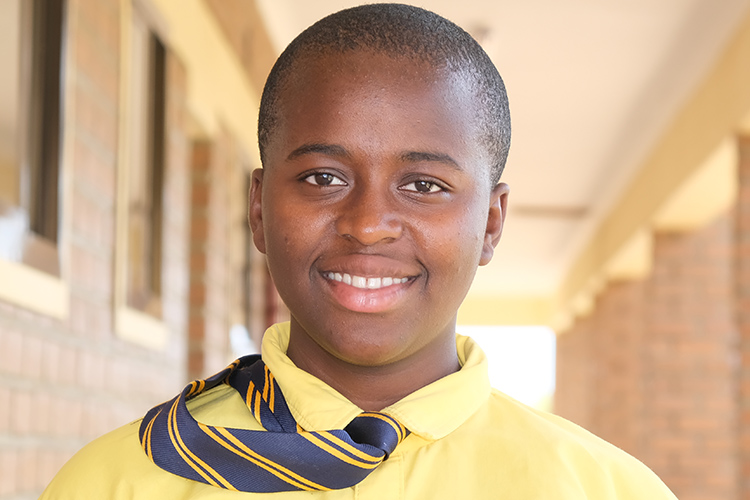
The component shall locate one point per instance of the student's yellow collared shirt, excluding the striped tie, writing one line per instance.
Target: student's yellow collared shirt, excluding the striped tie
(467, 441)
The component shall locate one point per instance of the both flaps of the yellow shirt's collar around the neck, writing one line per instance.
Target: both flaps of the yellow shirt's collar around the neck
(432, 412)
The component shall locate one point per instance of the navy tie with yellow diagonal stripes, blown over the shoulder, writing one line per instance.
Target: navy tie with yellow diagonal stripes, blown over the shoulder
(282, 458)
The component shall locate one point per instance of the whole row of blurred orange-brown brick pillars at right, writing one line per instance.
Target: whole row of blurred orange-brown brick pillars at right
(653, 369)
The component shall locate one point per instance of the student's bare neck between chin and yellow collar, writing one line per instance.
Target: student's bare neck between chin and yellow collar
(374, 387)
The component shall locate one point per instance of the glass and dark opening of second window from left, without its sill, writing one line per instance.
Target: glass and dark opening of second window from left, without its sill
(145, 168)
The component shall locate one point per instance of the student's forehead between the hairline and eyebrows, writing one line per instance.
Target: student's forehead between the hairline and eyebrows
(377, 98)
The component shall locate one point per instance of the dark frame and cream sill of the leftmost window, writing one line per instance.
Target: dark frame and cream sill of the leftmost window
(31, 275)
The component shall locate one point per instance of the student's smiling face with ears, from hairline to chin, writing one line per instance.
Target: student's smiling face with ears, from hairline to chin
(374, 208)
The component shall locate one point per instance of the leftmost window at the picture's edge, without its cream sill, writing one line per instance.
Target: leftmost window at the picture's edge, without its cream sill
(31, 43)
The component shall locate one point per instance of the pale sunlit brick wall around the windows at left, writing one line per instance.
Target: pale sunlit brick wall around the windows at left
(63, 383)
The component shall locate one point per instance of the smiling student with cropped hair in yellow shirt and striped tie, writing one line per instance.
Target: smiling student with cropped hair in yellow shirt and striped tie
(383, 132)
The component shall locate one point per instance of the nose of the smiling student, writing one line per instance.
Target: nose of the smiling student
(370, 216)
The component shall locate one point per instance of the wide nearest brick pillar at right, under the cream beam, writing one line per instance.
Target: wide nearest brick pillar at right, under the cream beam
(689, 359)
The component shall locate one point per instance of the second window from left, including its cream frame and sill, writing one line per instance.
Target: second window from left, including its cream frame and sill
(140, 178)
